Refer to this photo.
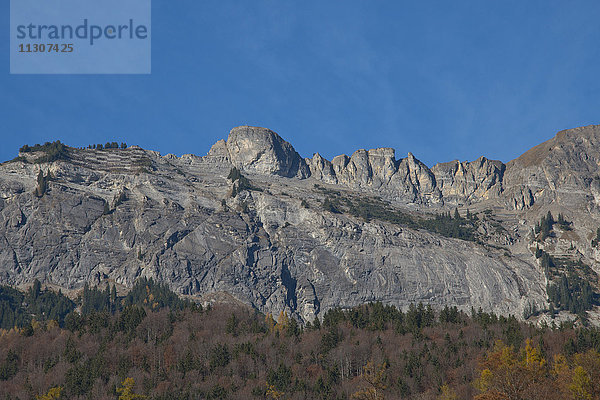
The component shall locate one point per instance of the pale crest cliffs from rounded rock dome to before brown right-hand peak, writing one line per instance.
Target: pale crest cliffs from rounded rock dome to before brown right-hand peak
(260, 150)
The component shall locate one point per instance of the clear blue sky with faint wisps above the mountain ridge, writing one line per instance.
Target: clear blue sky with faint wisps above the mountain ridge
(442, 79)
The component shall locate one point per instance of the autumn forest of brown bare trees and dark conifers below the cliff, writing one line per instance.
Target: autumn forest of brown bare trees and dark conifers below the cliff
(151, 344)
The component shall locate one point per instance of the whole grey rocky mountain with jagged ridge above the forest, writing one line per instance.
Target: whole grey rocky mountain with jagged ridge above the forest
(255, 222)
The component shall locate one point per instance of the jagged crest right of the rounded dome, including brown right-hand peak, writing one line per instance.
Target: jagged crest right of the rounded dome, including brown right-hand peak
(562, 169)
